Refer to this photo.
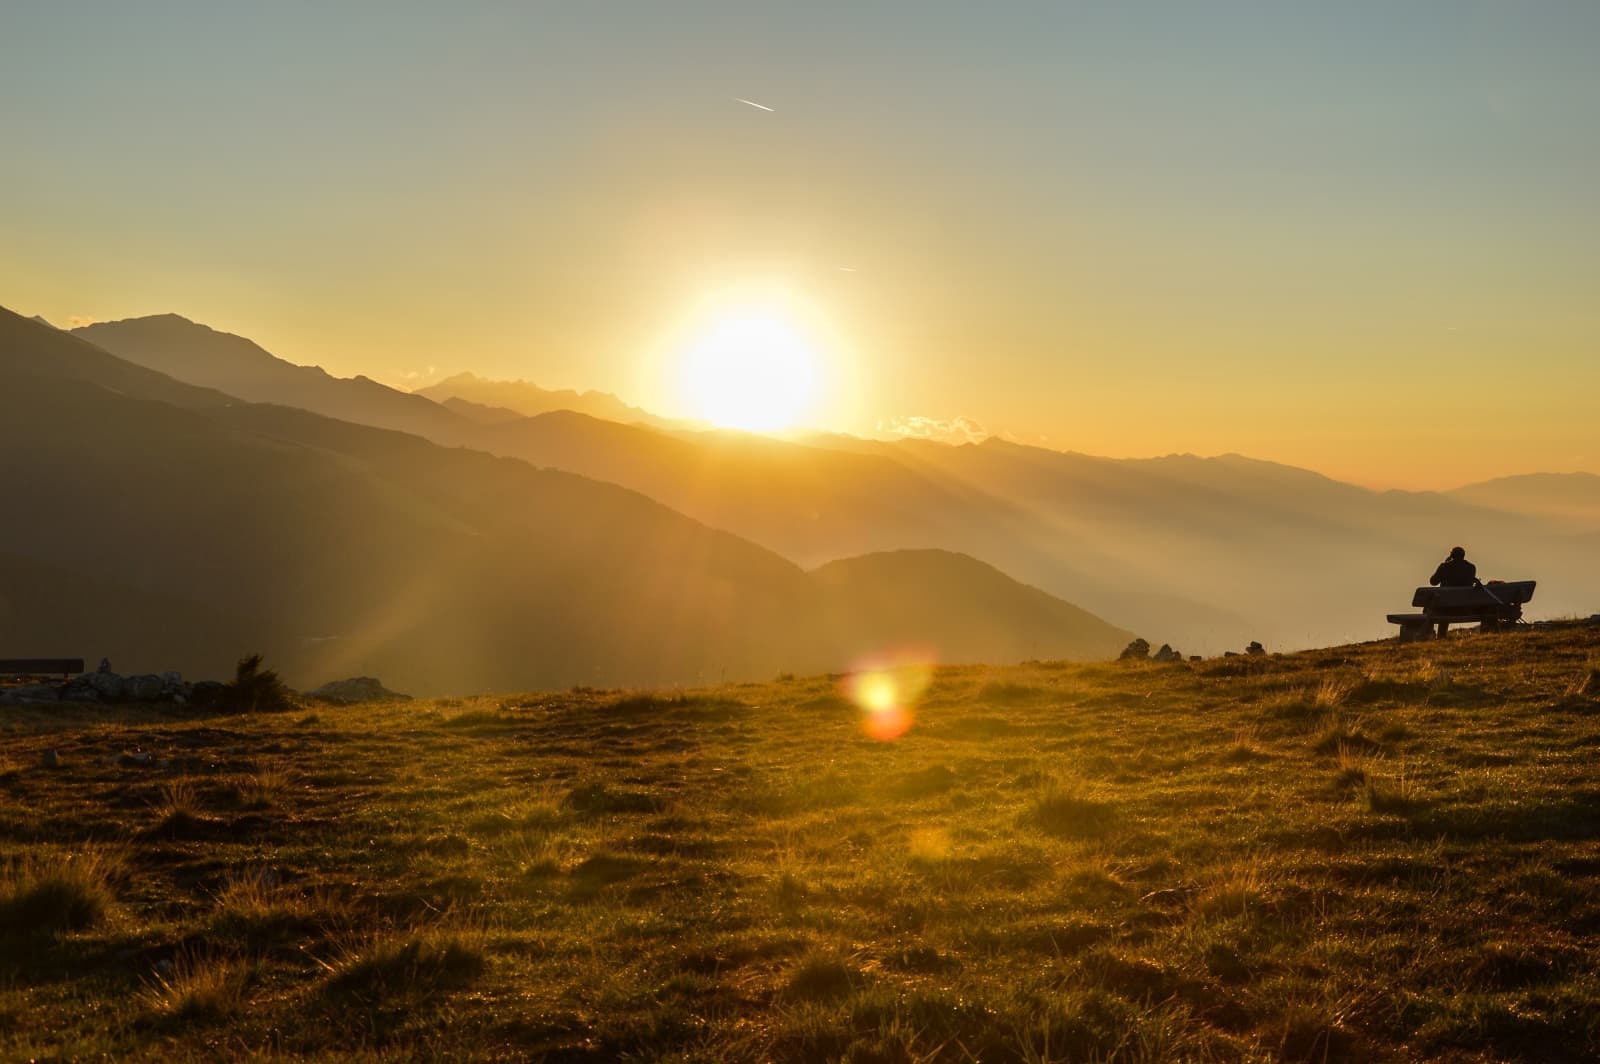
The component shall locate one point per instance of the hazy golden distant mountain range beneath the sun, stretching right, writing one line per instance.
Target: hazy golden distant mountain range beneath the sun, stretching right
(1204, 553)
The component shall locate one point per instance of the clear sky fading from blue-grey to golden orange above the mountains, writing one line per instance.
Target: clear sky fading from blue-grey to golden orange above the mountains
(1361, 238)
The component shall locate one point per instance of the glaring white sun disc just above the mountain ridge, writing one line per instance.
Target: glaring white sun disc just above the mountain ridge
(751, 372)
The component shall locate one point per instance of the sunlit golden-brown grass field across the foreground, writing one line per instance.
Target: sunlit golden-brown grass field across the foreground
(1361, 854)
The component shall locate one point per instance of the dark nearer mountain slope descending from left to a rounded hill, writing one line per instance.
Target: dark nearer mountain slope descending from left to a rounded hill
(170, 526)
